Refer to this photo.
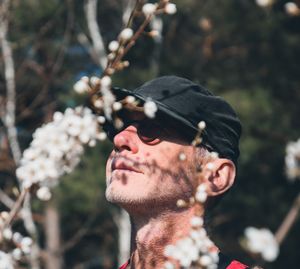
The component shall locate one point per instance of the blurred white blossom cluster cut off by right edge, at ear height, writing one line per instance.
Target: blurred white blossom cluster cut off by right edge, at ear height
(292, 160)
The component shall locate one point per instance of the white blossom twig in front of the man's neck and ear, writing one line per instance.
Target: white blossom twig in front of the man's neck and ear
(196, 250)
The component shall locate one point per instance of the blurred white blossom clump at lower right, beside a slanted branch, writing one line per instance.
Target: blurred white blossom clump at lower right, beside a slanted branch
(263, 242)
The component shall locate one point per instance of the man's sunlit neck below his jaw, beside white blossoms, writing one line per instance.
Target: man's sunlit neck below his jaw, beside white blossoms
(152, 233)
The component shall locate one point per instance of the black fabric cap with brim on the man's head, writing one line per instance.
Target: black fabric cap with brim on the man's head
(186, 104)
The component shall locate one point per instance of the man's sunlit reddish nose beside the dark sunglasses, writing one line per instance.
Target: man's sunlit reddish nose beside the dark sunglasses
(127, 139)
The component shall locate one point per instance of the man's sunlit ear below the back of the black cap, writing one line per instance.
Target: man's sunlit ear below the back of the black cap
(219, 176)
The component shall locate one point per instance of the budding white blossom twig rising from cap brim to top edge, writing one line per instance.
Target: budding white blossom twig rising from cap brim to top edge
(100, 88)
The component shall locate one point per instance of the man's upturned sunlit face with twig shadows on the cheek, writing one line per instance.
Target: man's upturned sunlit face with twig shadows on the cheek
(144, 172)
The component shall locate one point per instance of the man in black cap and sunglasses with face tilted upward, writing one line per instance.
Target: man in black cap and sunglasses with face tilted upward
(153, 164)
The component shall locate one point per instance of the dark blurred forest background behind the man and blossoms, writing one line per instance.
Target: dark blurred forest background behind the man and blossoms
(244, 52)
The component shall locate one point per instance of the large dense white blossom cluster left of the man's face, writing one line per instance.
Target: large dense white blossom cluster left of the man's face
(56, 148)
